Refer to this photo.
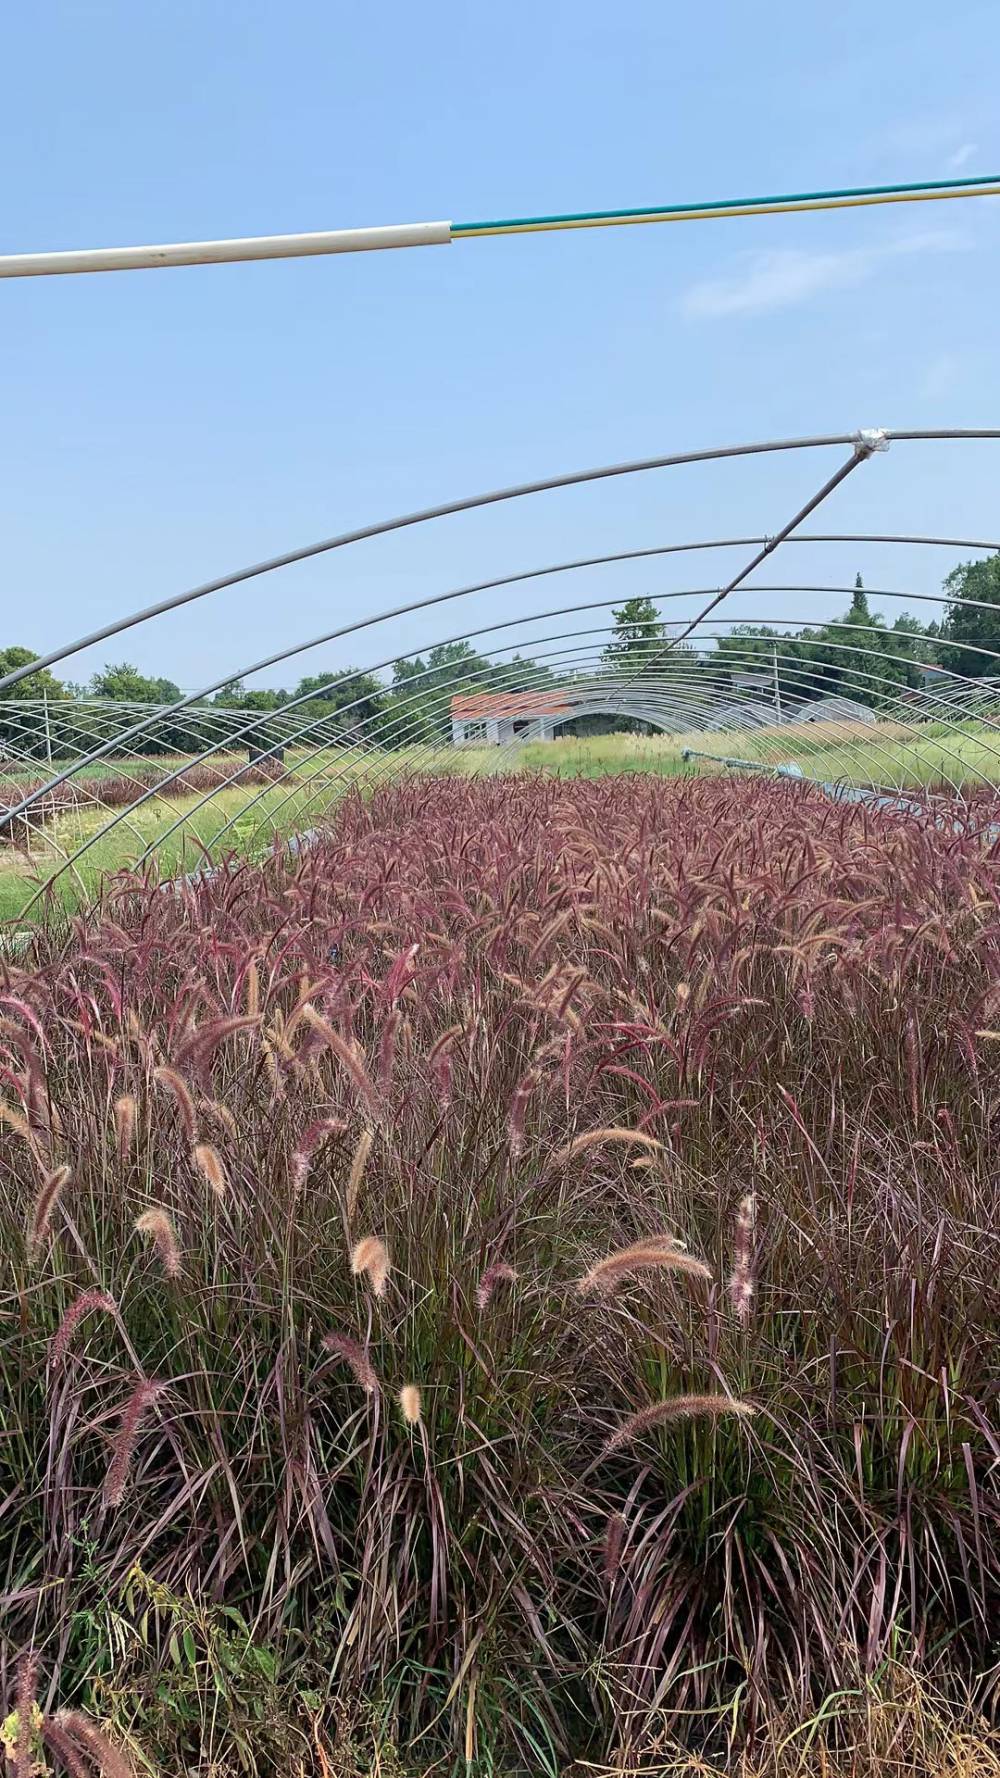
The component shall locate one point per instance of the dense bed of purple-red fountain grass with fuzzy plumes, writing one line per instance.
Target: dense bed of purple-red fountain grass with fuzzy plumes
(513, 1292)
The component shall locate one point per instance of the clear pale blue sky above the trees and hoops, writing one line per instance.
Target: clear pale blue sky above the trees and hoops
(165, 428)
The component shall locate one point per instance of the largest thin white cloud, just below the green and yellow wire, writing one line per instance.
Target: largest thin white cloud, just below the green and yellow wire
(789, 276)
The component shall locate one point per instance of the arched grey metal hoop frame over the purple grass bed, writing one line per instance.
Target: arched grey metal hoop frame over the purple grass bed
(378, 732)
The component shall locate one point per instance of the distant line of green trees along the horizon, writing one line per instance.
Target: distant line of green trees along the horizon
(810, 662)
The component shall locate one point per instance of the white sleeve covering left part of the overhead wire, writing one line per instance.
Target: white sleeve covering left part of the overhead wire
(227, 252)
